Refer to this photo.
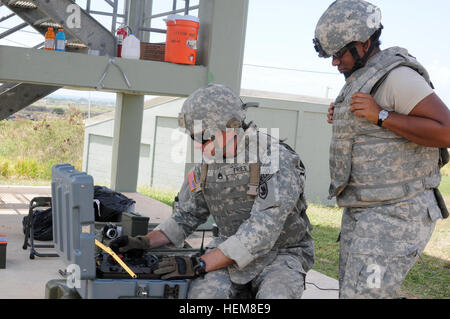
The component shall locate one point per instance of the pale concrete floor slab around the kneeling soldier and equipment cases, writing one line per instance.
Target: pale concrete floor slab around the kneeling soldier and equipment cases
(24, 278)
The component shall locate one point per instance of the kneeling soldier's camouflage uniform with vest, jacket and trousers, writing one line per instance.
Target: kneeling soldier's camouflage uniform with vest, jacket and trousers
(262, 226)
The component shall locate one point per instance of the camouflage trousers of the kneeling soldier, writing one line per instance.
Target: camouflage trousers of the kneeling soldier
(277, 281)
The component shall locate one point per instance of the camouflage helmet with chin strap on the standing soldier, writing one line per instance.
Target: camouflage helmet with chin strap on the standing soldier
(345, 21)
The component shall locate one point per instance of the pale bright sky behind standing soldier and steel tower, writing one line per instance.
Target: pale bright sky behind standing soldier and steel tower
(279, 55)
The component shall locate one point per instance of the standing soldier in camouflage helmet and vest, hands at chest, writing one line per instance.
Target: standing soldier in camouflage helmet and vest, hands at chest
(390, 138)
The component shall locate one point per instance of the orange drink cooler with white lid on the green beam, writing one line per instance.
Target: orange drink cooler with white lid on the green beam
(181, 41)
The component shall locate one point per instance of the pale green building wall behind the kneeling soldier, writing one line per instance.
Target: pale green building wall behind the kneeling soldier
(299, 120)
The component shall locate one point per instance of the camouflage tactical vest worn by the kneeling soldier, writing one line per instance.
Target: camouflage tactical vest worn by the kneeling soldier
(230, 191)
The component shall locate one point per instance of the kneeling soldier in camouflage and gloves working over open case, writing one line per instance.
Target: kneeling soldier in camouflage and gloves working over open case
(253, 187)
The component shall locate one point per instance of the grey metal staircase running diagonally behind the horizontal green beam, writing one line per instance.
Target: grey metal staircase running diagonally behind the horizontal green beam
(82, 32)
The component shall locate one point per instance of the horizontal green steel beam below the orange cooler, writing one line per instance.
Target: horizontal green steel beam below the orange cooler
(83, 71)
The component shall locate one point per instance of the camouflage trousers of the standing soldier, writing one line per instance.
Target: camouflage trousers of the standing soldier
(379, 245)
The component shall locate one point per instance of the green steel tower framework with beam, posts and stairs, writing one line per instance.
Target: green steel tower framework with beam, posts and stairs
(32, 74)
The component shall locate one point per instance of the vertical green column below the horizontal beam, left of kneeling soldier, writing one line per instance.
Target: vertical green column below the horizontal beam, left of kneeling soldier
(126, 142)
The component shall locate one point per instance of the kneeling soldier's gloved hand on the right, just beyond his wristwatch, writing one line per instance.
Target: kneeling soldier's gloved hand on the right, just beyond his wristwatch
(176, 267)
